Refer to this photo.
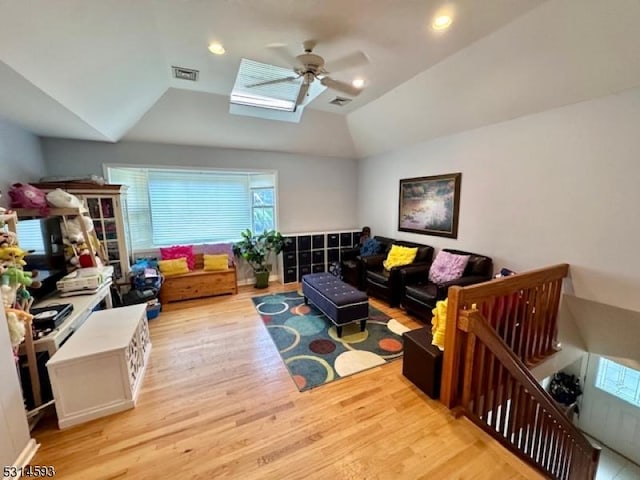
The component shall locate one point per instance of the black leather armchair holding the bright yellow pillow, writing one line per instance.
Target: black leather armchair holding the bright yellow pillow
(387, 284)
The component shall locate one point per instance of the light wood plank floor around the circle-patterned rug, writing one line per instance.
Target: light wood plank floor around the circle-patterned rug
(218, 402)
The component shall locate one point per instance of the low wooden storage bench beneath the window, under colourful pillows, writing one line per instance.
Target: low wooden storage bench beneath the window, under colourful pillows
(199, 283)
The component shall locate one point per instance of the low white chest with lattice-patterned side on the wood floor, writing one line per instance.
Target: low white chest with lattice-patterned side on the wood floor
(99, 370)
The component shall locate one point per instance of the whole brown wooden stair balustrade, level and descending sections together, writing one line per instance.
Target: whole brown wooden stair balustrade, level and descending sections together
(496, 332)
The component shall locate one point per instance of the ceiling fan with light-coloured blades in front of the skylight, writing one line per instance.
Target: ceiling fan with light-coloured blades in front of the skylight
(310, 66)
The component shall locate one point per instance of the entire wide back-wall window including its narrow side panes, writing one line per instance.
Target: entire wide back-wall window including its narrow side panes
(168, 206)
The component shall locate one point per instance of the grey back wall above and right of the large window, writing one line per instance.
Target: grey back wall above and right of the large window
(315, 193)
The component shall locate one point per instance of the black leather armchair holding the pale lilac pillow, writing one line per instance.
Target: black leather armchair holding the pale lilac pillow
(419, 295)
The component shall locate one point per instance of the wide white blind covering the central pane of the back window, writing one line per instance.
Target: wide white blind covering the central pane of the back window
(198, 207)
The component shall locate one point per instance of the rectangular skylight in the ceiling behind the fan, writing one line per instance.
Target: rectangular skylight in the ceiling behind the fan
(275, 101)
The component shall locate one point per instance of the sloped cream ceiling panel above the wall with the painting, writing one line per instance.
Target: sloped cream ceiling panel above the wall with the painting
(560, 53)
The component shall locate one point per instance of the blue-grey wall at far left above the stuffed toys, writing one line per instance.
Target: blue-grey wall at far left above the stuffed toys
(20, 158)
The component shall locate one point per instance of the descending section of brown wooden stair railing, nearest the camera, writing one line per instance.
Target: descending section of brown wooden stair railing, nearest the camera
(501, 396)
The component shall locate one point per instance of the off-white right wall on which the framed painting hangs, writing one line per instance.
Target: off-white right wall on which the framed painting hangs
(558, 186)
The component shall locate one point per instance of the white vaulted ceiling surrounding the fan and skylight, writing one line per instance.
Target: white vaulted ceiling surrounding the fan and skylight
(101, 70)
